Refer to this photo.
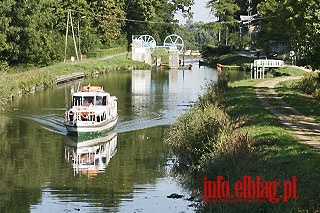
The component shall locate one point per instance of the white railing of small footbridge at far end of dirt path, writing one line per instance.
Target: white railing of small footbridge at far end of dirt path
(258, 66)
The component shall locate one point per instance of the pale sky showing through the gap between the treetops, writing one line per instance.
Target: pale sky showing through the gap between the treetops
(200, 13)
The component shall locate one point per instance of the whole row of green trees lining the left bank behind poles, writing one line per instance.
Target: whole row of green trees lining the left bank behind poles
(33, 32)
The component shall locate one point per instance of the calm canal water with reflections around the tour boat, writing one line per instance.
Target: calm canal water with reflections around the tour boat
(126, 170)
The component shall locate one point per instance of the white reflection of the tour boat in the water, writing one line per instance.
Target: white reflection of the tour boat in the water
(90, 156)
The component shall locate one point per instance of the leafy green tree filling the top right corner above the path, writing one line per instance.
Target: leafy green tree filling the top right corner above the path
(297, 25)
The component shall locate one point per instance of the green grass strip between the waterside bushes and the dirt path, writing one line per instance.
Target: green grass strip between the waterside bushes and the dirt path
(277, 155)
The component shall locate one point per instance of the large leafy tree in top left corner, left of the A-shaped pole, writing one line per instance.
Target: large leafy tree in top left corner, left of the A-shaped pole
(26, 34)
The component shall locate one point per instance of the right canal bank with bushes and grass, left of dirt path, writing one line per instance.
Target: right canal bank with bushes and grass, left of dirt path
(266, 149)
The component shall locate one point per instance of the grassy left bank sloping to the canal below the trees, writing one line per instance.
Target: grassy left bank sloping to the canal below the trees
(15, 82)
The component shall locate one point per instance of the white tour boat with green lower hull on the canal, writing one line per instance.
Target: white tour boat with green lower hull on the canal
(92, 110)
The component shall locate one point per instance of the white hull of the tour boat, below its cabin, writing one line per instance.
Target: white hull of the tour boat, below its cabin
(79, 127)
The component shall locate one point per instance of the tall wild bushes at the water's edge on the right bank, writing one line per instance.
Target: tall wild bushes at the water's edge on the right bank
(206, 132)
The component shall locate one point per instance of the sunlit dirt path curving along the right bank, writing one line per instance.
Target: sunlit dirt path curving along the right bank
(304, 127)
